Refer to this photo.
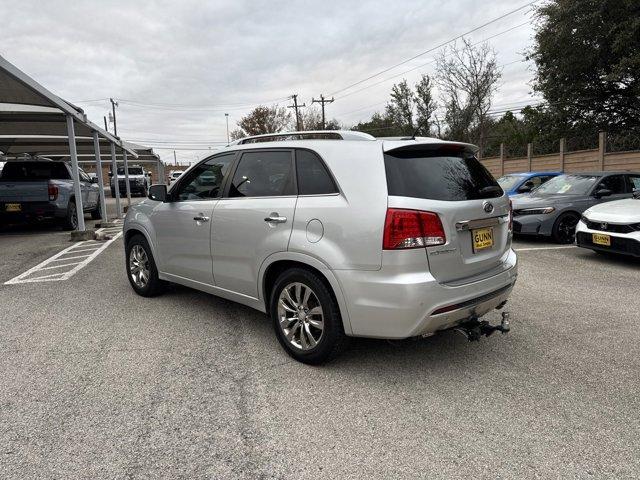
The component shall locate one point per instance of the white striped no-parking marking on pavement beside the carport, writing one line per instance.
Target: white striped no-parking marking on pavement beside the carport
(92, 246)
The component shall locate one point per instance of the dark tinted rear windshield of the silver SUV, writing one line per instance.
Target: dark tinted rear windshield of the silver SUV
(438, 175)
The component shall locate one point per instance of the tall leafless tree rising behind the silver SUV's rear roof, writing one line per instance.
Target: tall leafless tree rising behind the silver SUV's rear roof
(468, 78)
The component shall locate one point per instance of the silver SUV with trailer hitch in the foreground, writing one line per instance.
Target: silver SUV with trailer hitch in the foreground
(333, 234)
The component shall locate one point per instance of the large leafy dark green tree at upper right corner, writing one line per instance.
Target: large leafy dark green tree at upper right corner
(587, 54)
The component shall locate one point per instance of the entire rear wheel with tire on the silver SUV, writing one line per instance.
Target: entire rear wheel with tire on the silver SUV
(302, 338)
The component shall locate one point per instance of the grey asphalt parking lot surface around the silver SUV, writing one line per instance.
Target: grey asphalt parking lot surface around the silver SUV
(96, 382)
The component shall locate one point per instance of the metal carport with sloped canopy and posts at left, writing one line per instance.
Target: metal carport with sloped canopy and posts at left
(34, 121)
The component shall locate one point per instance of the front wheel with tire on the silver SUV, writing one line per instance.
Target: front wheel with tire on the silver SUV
(141, 268)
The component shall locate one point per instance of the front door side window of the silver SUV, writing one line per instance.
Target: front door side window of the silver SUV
(205, 180)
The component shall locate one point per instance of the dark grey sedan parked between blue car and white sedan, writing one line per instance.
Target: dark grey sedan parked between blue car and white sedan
(554, 208)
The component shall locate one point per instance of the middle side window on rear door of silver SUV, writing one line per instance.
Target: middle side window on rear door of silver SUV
(263, 174)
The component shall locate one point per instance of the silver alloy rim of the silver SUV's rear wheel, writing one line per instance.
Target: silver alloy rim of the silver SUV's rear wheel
(300, 316)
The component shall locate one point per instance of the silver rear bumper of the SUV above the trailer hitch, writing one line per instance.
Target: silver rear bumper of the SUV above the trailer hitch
(394, 303)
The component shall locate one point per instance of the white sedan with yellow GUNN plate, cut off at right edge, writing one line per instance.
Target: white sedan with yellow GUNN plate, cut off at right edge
(611, 227)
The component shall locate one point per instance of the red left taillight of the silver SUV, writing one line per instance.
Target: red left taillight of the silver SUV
(412, 229)
